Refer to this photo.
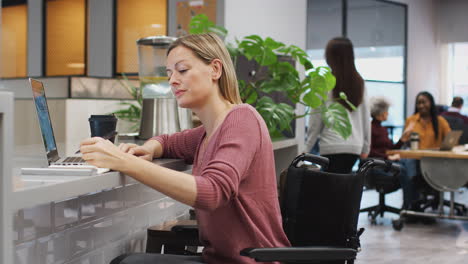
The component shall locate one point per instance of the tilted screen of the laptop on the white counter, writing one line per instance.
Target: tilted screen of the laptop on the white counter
(43, 116)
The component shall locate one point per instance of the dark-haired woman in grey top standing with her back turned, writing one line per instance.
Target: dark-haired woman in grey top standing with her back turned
(343, 153)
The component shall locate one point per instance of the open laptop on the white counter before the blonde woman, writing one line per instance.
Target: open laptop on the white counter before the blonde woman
(67, 165)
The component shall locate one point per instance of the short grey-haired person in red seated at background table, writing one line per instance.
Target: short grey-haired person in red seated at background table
(380, 142)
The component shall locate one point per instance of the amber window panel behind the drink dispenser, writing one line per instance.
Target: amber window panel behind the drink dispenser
(135, 20)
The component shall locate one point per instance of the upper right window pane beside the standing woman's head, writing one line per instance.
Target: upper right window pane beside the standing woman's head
(377, 30)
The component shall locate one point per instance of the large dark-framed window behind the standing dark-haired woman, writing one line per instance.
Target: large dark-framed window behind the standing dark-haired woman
(378, 32)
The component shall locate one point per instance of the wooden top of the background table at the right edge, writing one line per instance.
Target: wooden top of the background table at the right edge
(458, 152)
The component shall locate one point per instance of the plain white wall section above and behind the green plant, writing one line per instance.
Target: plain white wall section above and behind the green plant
(281, 20)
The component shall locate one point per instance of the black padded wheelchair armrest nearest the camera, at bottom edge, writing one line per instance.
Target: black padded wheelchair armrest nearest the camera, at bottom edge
(291, 254)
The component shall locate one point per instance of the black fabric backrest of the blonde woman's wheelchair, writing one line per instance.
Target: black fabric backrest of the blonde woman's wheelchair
(321, 208)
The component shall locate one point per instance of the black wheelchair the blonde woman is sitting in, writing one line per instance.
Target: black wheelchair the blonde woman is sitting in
(320, 211)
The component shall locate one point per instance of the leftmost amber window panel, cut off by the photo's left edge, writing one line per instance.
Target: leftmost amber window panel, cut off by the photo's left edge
(14, 36)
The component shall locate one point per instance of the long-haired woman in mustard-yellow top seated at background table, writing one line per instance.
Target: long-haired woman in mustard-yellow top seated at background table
(431, 128)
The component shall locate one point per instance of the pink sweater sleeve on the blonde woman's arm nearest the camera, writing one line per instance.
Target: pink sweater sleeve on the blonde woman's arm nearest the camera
(235, 148)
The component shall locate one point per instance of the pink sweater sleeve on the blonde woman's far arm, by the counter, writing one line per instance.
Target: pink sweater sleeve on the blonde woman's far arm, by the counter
(181, 145)
